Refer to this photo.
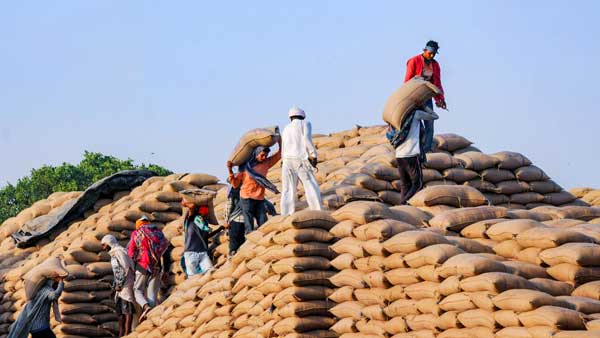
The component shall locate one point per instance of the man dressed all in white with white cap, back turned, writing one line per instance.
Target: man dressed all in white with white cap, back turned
(299, 156)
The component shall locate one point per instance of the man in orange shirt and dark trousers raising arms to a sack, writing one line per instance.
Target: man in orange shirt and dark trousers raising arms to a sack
(252, 181)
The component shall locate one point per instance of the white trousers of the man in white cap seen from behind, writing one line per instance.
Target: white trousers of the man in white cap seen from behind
(292, 170)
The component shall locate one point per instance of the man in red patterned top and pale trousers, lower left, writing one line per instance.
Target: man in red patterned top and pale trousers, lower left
(146, 248)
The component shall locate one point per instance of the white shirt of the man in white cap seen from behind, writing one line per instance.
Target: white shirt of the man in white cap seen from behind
(296, 141)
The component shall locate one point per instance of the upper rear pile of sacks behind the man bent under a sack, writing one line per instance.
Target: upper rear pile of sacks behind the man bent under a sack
(359, 164)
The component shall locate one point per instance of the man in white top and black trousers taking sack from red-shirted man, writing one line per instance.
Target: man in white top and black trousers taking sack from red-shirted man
(408, 155)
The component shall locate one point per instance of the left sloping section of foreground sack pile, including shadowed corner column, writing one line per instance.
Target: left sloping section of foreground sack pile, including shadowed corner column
(276, 284)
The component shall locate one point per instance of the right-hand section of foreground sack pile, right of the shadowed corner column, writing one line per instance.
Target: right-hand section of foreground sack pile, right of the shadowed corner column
(405, 276)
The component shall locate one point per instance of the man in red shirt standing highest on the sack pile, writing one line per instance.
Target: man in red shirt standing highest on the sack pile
(425, 66)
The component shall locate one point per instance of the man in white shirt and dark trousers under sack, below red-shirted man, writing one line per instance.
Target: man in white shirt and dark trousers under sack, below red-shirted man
(409, 143)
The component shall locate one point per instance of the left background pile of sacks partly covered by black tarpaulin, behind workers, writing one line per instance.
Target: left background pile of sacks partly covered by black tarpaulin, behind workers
(87, 307)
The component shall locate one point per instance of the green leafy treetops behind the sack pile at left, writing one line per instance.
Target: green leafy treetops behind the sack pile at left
(45, 180)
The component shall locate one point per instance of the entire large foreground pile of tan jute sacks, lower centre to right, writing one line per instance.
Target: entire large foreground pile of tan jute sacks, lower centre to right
(401, 272)
